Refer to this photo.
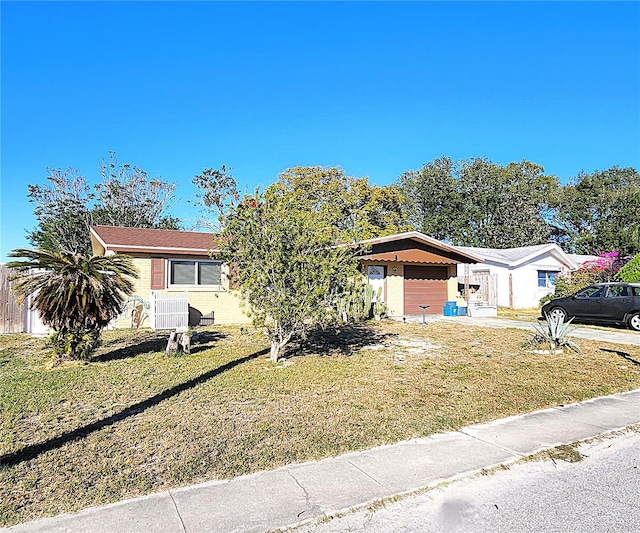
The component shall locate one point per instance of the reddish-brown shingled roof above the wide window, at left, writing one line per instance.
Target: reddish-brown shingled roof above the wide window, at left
(130, 240)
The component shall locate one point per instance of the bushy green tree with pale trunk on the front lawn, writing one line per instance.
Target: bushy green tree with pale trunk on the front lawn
(288, 269)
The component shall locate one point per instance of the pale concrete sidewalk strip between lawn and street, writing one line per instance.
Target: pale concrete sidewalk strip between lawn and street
(296, 493)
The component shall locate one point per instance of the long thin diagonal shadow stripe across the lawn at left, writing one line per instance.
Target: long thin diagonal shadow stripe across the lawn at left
(34, 450)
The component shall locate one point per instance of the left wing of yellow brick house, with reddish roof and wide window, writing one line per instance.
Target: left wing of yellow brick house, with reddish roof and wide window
(178, 274)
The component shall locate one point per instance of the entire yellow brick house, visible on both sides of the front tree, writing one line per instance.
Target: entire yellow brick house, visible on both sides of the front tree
(179, 269)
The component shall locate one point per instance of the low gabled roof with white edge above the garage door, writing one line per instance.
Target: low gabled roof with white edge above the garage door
(416, 255)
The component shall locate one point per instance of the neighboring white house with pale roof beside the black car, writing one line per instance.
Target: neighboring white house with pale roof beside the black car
(517, 277)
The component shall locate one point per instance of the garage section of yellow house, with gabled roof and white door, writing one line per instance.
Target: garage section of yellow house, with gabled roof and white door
(414, 269)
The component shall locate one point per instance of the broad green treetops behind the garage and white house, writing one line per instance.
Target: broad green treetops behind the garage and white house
(477, 202)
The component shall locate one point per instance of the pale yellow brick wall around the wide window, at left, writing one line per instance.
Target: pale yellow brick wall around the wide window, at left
(224, 303)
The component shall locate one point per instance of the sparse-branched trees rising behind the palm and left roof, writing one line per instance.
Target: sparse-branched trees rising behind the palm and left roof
(67, 205)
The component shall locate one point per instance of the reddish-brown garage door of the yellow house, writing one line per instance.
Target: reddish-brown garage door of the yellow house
(424, 285)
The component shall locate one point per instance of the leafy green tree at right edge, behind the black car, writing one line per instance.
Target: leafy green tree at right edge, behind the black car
(599, 212)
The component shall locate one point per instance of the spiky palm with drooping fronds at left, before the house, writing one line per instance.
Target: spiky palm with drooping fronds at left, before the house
(76, 295)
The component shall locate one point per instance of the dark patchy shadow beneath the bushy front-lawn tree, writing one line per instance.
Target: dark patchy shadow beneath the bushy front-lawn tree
(346, 340)
